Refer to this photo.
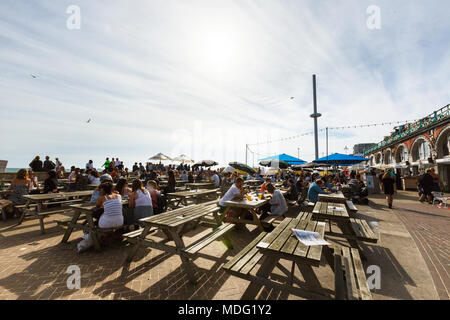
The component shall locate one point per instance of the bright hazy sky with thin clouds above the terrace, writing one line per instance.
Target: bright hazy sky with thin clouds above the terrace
(206, 77)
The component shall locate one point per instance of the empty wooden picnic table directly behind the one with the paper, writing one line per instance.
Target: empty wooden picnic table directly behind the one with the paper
(352, 229)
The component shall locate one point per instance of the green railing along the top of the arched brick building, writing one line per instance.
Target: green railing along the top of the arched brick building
(411, 128)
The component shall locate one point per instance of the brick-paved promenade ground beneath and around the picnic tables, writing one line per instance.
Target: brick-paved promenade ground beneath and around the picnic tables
(412, 254)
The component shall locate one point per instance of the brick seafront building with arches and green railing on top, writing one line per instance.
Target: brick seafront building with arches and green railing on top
(414, 147)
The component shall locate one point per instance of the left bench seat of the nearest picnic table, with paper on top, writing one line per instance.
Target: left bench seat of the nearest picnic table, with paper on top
(246, 259)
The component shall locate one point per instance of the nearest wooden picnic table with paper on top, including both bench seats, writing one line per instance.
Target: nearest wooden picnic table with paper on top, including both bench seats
(269, 248)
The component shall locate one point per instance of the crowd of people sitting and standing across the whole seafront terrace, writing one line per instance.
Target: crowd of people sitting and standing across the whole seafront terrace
(148, 196)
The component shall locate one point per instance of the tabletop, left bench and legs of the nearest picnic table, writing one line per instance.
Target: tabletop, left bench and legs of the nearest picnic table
(268, 248)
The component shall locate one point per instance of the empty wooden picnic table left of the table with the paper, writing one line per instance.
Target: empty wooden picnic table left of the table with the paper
(174, 225)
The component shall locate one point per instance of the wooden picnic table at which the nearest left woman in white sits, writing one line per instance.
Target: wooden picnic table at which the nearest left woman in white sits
(85, 212)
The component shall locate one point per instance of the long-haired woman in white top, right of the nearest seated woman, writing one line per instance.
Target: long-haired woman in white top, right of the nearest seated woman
(141, 201)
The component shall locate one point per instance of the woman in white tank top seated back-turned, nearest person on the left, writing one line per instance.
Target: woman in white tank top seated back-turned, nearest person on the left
(111, 203)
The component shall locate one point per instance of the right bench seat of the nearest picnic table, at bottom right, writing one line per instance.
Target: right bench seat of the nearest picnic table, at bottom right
(350, 278)
